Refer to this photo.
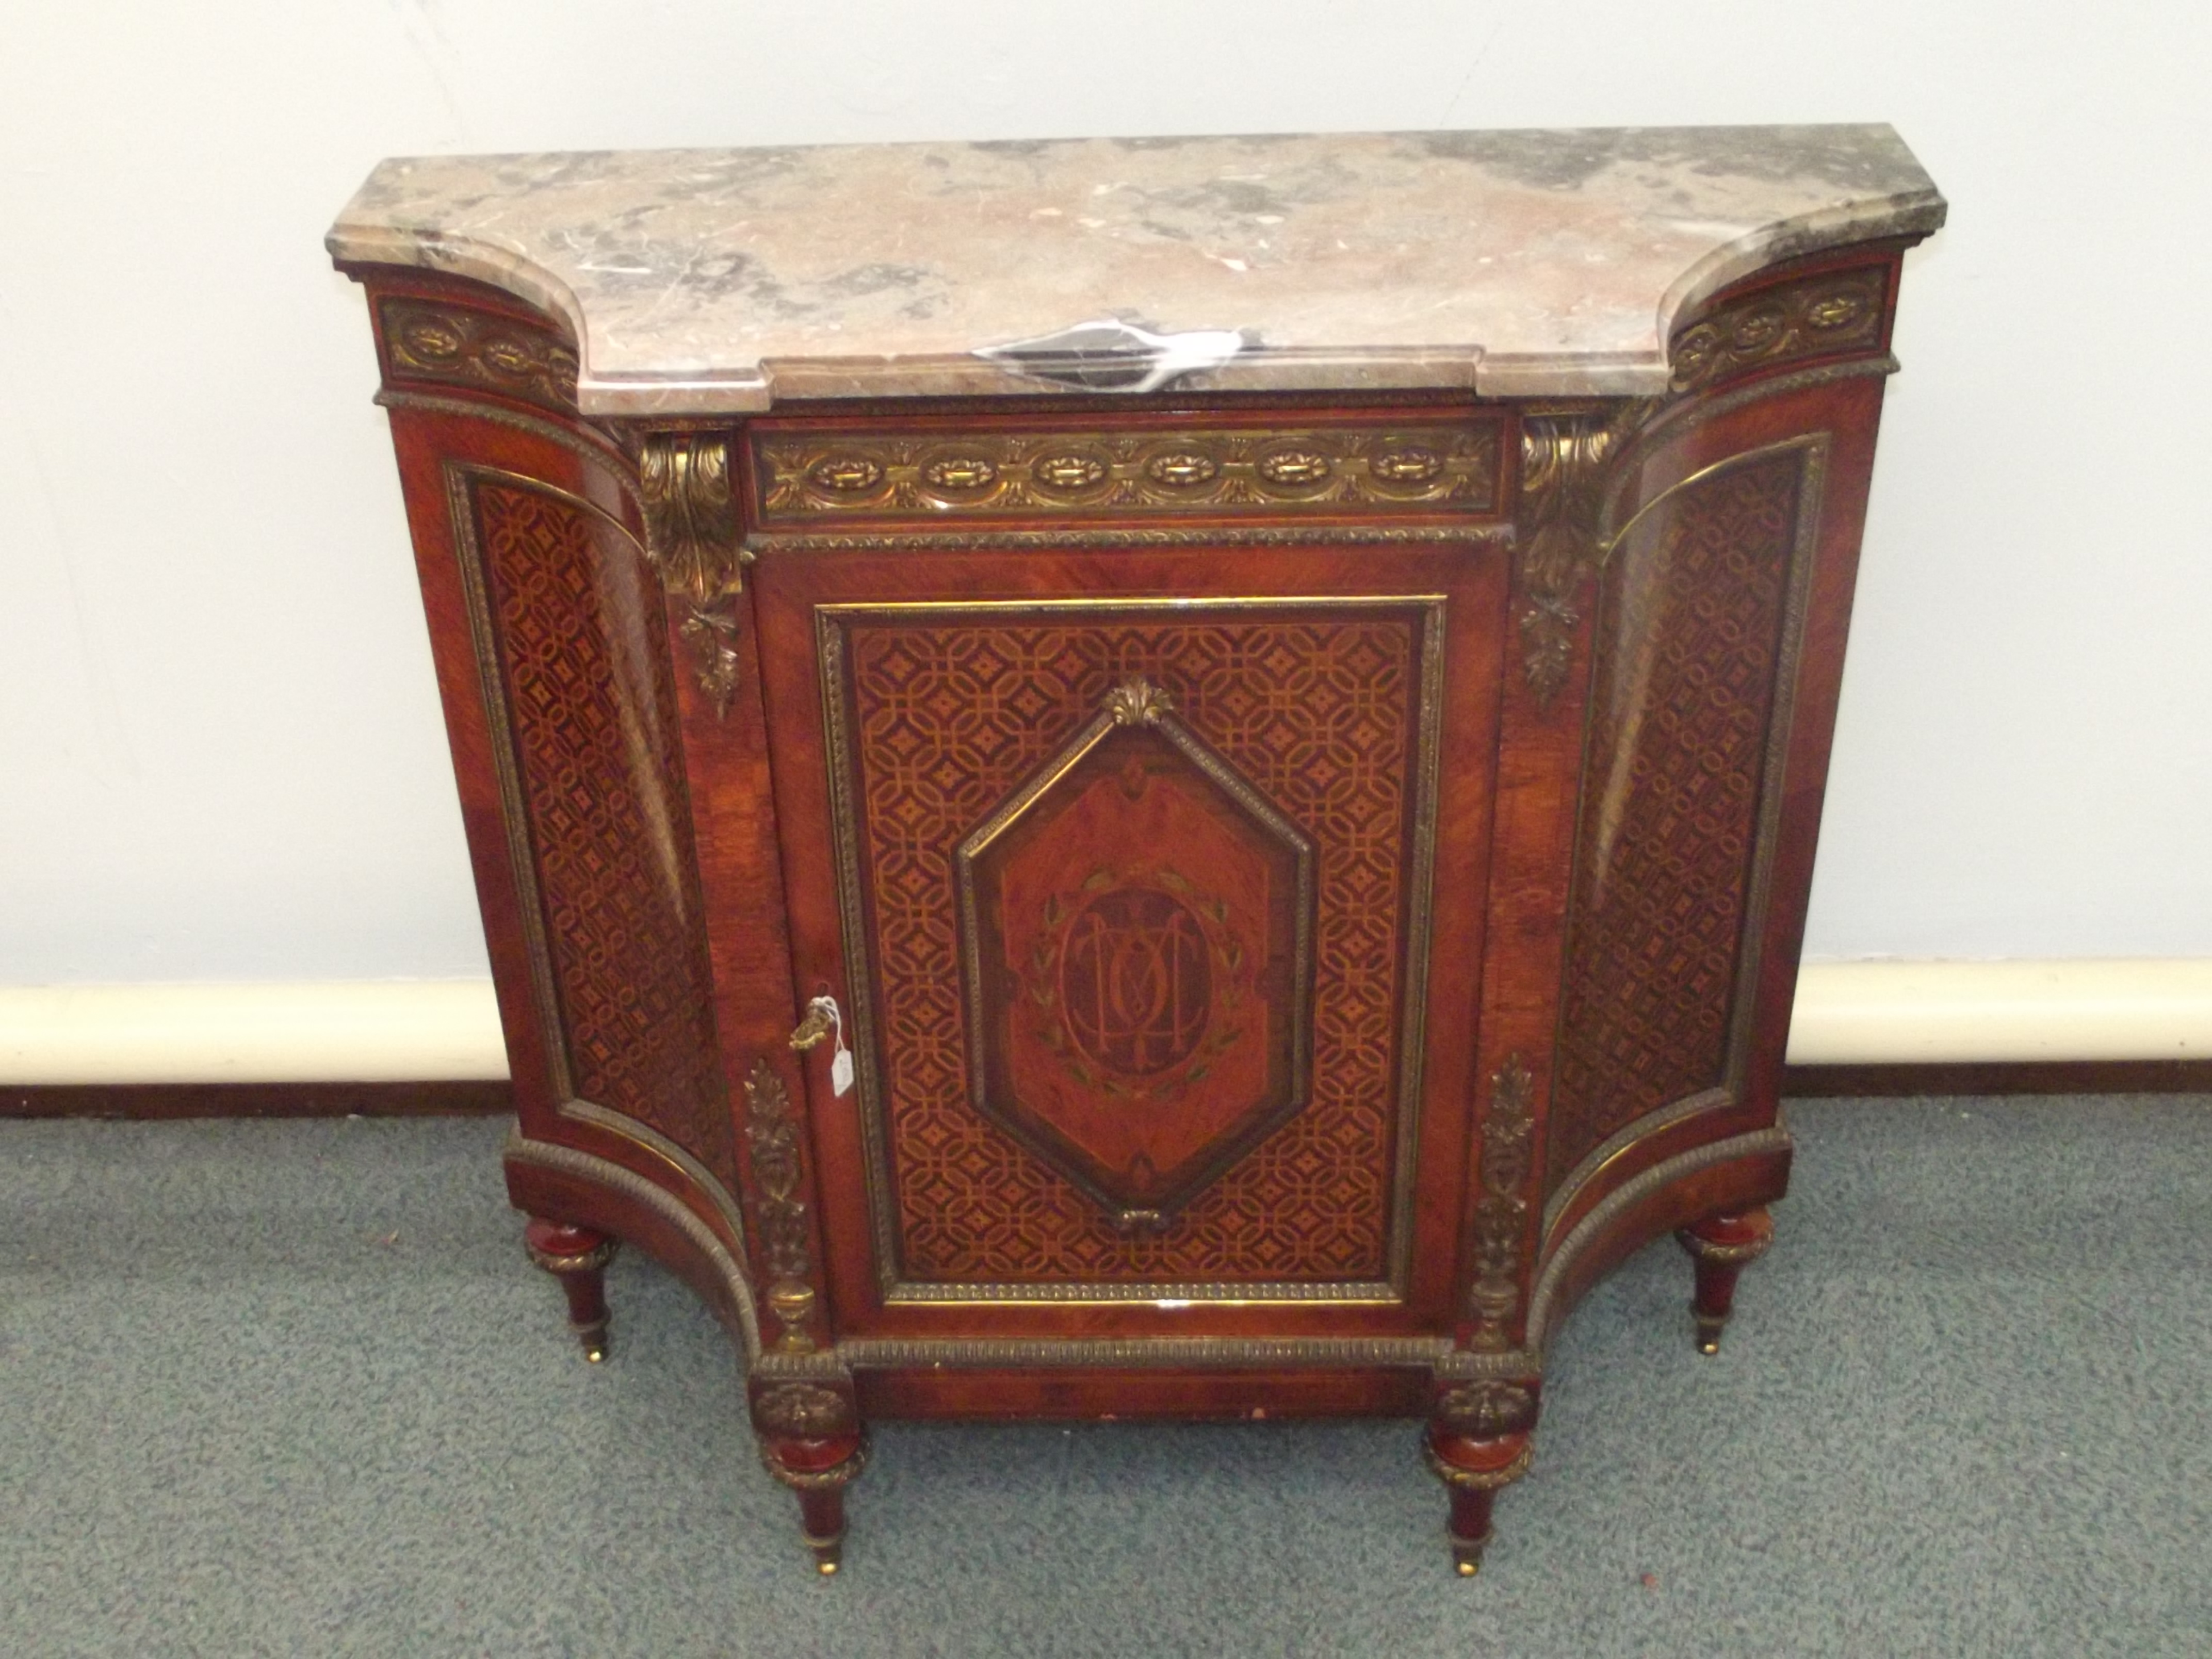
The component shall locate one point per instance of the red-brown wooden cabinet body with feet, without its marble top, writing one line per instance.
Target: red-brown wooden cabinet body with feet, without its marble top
(1302, 884)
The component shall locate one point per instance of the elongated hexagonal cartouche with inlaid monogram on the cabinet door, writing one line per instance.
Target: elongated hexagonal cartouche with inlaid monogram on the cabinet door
(1138, 959)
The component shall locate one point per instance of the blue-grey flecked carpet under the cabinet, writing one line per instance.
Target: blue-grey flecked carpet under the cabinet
(291, 1390)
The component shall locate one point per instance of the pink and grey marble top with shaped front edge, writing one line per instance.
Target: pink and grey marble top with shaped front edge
(1516, 264)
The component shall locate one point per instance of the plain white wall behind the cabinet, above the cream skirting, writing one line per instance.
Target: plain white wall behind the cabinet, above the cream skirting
(220, 747)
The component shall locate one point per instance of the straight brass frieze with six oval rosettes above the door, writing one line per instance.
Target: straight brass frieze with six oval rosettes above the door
(811, 477)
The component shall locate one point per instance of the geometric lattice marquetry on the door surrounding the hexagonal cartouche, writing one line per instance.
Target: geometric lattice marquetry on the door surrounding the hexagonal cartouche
(1319, 713)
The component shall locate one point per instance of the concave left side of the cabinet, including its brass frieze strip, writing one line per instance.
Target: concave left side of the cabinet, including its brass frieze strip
(556, 674)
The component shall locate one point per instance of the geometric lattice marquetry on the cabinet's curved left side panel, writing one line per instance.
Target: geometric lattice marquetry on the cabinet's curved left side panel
(605, 795)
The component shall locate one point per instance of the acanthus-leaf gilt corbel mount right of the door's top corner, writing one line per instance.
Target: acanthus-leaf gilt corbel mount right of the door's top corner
(1563, 501)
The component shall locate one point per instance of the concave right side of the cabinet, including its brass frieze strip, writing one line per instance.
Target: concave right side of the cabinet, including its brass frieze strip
(1687, 994)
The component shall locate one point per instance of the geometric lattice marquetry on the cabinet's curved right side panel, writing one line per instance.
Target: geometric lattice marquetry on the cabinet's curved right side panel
(1671, 804)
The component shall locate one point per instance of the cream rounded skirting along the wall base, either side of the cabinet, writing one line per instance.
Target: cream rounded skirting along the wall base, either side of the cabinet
(364, 1032)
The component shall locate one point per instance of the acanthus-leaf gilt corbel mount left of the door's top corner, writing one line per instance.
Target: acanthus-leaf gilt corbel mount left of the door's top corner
(696, 541)
